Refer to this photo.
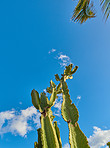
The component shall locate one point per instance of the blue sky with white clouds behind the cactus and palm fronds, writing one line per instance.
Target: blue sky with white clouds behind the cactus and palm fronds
(37, 39)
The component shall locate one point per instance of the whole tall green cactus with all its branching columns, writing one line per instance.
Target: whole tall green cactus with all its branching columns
(49, 134)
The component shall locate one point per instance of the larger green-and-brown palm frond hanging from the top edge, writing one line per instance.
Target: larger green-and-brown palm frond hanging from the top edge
(83, 11)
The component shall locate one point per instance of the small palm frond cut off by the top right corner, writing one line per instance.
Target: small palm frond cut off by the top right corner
(106, 8)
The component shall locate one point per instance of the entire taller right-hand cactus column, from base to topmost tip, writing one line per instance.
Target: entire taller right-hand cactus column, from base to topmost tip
(70, 113)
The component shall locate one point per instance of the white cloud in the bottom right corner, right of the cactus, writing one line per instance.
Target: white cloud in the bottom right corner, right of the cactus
(99, 138)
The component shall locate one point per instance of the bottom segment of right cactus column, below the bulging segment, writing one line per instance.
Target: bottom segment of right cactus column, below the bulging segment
(77, 138)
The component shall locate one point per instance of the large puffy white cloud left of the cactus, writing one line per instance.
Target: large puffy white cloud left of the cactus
(19, 122)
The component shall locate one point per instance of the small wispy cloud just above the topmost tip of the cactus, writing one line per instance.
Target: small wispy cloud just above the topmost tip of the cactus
(65, 60)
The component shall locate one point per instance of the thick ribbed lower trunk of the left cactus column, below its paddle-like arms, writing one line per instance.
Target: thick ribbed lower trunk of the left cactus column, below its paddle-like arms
(49, 137)
